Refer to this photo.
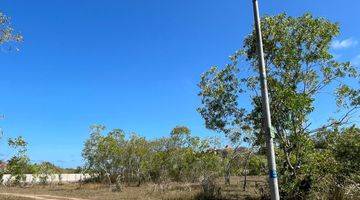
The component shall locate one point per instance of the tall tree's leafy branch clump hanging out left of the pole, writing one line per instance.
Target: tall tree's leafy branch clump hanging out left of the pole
(219, 92)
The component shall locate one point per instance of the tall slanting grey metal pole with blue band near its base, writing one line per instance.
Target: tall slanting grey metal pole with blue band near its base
(273, 182)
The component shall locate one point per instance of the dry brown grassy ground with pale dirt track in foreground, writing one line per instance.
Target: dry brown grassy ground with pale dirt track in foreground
(170, 191)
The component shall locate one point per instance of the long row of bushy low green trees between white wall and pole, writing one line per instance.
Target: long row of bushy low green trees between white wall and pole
(180, 157)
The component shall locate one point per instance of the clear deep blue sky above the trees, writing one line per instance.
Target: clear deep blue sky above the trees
(130, 64)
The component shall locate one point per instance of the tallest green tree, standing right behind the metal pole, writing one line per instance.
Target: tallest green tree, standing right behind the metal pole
(299, 67)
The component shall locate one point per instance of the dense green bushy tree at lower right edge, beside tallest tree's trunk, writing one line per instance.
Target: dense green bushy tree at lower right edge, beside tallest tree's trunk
(335, 163)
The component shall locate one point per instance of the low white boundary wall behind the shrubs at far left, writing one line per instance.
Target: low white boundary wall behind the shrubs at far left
(53, 178)
